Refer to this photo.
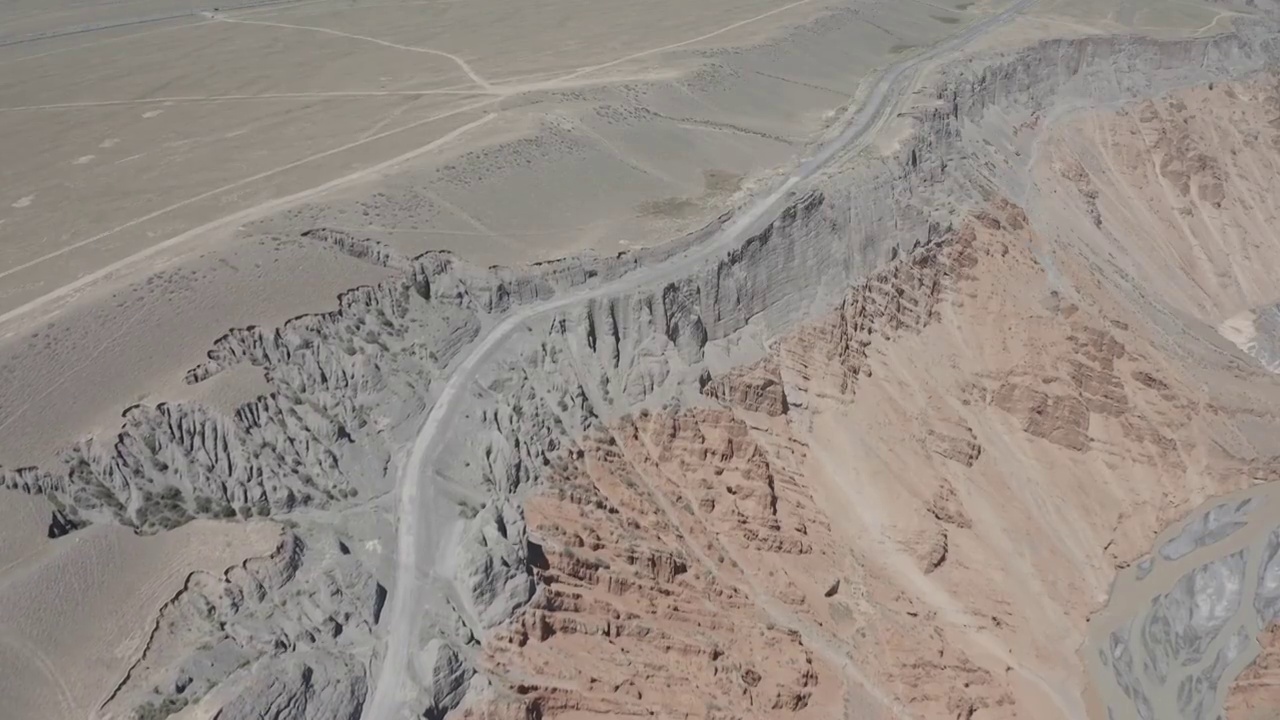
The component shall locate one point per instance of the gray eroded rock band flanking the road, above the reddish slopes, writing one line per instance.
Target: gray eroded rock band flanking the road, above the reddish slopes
(350, 386)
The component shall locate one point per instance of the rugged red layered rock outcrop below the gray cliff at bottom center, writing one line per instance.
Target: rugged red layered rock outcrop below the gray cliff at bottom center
(641, 603)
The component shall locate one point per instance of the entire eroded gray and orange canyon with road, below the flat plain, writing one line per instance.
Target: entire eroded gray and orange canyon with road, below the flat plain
(968, 418)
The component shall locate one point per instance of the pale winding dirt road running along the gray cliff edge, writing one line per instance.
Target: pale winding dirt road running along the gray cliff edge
(426, 527)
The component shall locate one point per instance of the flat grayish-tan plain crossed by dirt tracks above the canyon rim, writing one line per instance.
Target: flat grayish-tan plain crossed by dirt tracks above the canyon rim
(422, 126)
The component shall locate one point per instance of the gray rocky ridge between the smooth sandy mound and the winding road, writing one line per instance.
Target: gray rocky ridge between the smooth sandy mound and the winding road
(287, 636)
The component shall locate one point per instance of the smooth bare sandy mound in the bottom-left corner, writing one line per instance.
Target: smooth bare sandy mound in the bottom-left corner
(77, 610)
